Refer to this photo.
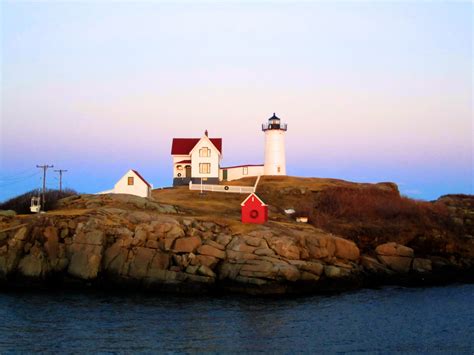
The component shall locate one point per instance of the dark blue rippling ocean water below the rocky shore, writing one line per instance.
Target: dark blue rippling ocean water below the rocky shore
(420, 320)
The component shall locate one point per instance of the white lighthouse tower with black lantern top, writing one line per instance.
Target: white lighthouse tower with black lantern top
(275, 161)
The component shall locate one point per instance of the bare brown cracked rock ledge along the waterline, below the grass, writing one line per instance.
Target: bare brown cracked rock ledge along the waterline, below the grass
(138, 243)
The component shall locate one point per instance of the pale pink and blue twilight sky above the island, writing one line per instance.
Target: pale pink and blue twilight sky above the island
(371, 91)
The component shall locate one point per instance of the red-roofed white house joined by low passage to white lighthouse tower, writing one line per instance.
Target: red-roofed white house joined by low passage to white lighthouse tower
(199, 159)
